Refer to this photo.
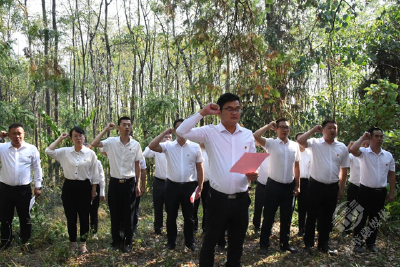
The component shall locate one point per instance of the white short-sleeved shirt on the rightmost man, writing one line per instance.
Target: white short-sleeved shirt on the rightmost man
(374, 168)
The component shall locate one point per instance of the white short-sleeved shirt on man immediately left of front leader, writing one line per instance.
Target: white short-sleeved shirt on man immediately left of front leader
(181, 160)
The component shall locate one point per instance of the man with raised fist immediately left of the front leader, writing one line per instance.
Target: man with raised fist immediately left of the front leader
(183, 160)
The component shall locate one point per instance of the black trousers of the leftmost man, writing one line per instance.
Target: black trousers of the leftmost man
(11, 198)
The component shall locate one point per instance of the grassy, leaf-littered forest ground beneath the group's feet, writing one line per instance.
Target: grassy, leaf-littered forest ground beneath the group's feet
(50, 243)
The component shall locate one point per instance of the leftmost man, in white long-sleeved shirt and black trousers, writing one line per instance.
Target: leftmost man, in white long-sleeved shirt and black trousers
(18, 158)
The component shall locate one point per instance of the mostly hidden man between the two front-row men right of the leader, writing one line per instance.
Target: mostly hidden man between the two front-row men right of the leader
(305, 162)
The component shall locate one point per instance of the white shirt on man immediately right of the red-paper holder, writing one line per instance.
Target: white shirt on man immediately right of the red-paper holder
(281, 159)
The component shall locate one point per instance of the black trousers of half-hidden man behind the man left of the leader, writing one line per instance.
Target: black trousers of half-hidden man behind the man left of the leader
(158, 203)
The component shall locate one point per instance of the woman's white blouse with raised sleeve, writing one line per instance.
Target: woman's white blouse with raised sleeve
(80, 165)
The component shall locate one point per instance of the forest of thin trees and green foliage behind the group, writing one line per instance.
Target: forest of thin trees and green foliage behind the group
(87, 62)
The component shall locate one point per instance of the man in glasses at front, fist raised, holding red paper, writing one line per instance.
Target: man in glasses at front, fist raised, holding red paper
(229, 199)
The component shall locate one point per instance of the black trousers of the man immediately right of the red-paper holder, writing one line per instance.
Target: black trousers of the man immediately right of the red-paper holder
(277, 195)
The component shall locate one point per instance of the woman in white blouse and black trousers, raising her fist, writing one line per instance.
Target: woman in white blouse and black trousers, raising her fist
(81, 174)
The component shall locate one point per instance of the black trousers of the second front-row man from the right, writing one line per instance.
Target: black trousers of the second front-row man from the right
(321, 205)
